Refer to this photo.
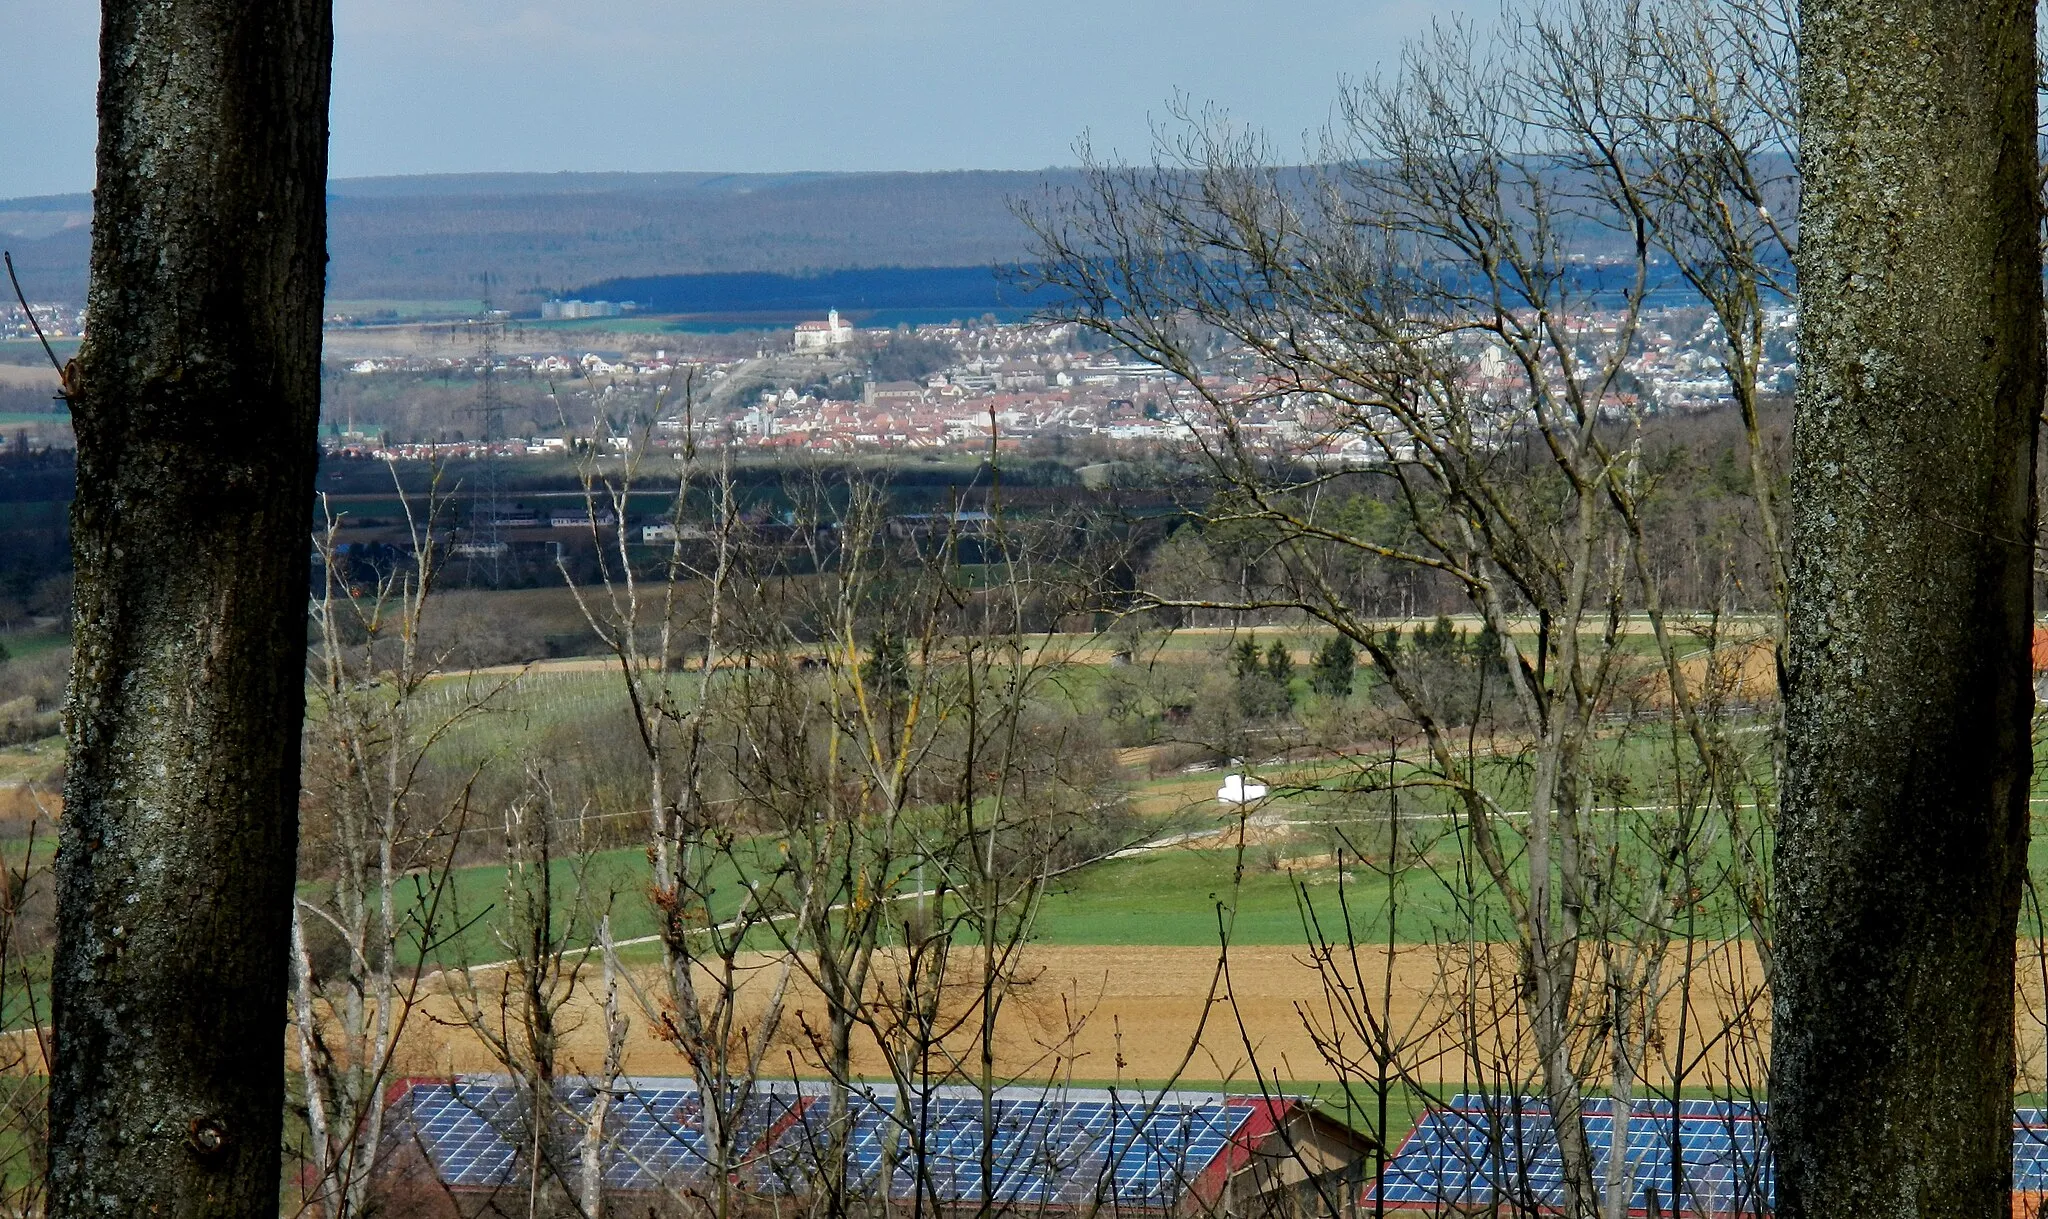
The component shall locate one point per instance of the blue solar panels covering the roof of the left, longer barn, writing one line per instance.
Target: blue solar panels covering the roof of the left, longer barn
(1046, 1148)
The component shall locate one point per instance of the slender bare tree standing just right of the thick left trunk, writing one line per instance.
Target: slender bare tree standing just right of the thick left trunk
(380, 847)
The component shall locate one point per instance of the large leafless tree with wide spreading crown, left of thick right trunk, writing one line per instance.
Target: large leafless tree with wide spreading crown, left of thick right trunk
(1426, 319)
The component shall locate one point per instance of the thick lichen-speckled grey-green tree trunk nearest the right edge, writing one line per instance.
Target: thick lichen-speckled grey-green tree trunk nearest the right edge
(1906, 810)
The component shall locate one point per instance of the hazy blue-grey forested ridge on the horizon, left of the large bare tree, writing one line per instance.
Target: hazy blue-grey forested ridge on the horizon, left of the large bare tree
(431, 239)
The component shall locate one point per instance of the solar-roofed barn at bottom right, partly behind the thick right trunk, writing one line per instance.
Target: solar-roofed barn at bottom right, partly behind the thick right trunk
(1484, 1152)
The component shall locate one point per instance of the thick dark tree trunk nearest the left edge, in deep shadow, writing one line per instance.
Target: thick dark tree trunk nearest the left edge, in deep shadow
(196, 405)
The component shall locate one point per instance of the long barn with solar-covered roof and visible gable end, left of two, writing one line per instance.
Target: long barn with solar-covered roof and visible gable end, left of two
(1076, 1152)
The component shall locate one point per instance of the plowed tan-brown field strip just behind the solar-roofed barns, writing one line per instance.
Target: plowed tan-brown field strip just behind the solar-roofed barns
(1136, 1013)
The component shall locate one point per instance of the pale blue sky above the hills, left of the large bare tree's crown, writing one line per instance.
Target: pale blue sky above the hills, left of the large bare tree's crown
(746, 85)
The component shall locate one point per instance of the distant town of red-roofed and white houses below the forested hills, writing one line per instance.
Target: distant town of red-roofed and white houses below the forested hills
(1021, 384)
